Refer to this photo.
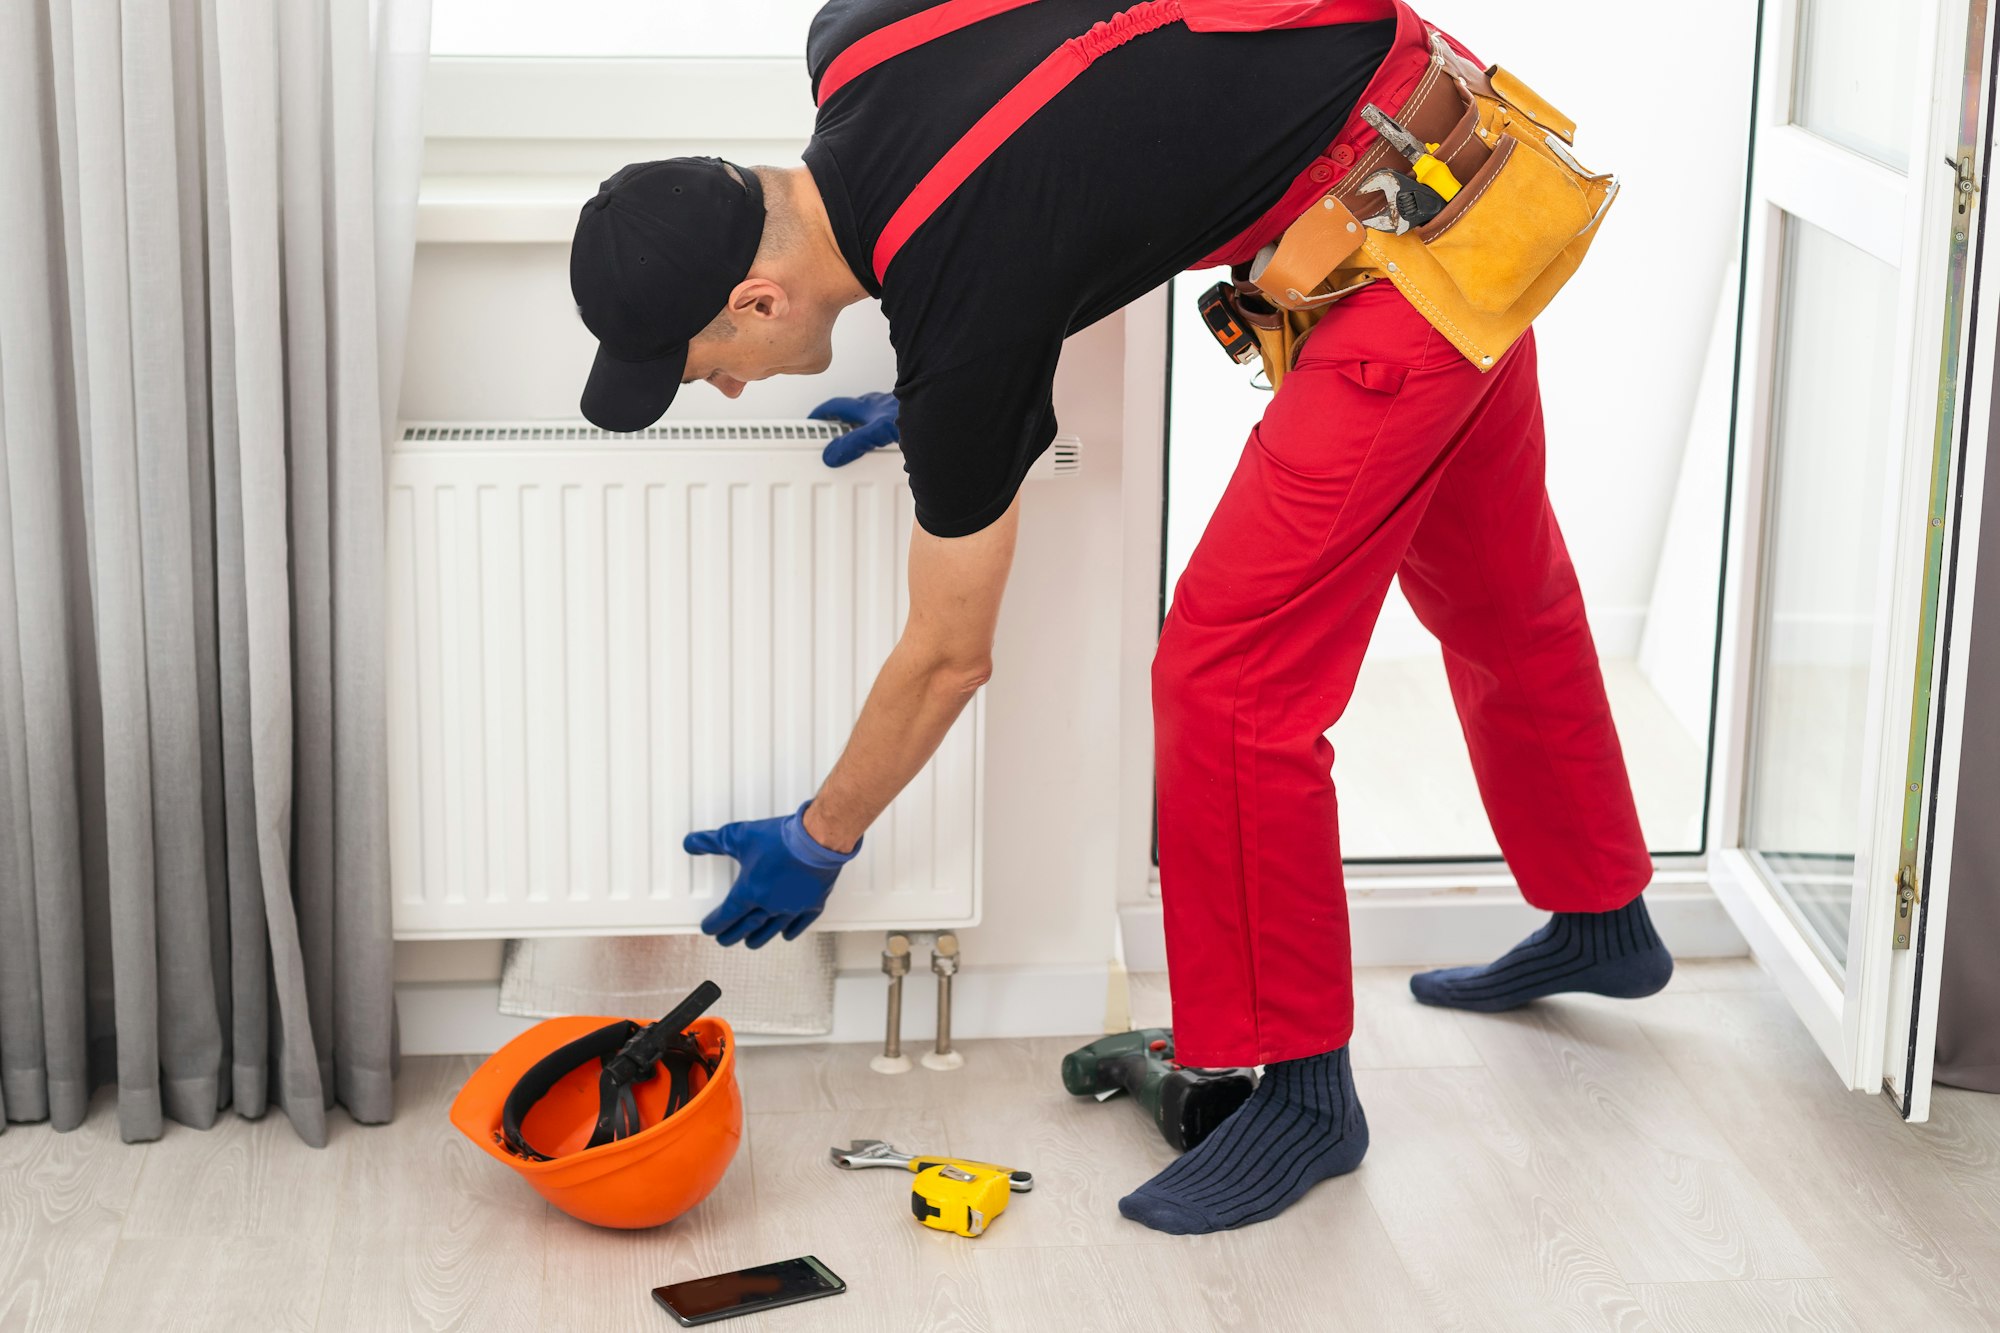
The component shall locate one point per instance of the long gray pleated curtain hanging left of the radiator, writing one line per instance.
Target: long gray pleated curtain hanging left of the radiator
(205, 257)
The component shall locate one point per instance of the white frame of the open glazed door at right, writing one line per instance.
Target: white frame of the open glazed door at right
(1899, 221)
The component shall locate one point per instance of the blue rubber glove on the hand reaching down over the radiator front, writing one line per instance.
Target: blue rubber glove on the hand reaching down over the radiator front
(783, 878)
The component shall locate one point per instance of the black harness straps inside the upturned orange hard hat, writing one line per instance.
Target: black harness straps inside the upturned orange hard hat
(629, 1054)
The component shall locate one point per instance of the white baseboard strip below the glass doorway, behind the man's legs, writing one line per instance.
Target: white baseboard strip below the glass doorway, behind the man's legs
(1449, 924)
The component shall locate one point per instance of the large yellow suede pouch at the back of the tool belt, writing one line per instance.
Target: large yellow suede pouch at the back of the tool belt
(1519, 227)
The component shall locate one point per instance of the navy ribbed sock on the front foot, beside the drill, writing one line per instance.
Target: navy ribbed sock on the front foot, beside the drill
(1301, 1126)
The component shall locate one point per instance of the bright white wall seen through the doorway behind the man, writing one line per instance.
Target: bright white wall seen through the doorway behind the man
(1661, 97)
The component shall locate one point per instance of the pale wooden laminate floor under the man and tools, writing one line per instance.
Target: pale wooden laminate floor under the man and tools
(1673, 1164)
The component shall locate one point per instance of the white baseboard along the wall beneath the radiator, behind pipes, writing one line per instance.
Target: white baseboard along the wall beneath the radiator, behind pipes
(463, 1018)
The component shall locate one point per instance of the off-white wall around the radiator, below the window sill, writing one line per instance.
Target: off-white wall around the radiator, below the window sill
(495, 335)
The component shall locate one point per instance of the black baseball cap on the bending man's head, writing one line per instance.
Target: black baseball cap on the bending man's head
(657, 255)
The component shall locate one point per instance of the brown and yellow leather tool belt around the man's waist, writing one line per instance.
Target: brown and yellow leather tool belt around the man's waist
(1481, 271)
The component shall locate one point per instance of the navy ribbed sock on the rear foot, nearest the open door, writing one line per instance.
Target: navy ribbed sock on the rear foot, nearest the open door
(1607, 954)
